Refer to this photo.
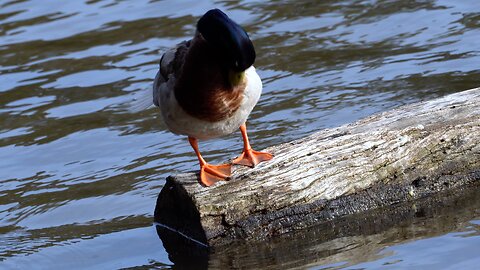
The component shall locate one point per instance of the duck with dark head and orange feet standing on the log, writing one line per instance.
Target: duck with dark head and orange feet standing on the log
(206, 88)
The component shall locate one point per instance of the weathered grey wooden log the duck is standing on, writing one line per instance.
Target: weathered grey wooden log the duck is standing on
(396, 156)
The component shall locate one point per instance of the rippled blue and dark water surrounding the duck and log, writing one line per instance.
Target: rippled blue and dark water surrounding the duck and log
(79, 175)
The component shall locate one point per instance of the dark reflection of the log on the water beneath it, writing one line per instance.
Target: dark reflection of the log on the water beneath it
(341, 243)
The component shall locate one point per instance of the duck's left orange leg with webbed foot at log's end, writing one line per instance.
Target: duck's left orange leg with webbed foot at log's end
(210, 174)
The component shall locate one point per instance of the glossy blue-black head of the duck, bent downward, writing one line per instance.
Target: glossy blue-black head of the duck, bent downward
(229, 38)
